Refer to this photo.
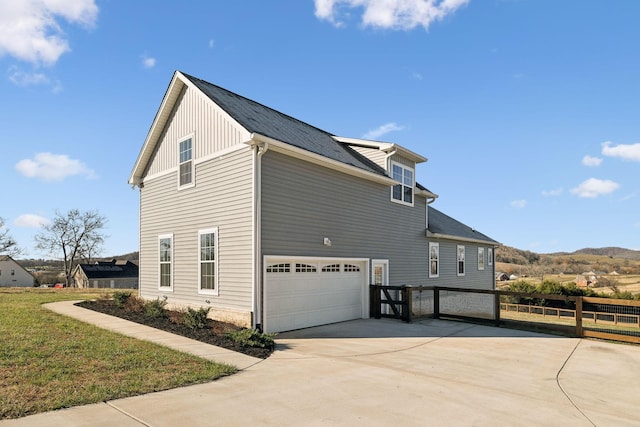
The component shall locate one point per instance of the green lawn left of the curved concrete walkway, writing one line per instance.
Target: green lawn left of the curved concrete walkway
(49, 361)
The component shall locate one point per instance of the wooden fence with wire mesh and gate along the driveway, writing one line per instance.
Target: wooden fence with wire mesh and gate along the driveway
(577, 316)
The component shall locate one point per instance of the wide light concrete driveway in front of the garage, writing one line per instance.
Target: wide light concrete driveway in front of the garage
(385, 372)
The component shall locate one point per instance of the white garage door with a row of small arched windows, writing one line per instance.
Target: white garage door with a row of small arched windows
(304, 292)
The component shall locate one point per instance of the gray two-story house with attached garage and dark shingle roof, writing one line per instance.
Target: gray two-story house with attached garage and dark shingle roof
(276, 224)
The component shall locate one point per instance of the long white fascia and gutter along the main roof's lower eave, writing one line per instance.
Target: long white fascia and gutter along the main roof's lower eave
(308, 156)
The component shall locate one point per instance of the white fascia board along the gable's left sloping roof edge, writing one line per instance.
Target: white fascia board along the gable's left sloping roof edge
(159, 122)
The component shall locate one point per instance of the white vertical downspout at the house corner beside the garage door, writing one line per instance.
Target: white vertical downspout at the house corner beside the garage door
(257, 228)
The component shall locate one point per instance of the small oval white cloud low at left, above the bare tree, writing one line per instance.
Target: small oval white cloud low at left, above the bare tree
(52, 167)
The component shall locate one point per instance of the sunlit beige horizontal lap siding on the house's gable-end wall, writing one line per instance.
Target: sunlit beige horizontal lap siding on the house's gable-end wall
(222, 198)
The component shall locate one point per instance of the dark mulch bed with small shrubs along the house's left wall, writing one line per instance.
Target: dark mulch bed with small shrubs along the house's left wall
(214, 333)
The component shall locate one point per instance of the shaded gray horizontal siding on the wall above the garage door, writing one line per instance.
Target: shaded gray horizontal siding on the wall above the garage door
(303, 203)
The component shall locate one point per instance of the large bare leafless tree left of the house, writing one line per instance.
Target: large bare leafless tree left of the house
(75, 234)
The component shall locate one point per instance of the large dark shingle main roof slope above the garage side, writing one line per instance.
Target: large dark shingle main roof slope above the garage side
(266, 121)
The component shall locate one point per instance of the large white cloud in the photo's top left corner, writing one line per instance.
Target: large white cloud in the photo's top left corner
(31, 31)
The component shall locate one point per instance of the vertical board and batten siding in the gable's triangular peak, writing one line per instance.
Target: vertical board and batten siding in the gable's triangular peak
(211, 127)
